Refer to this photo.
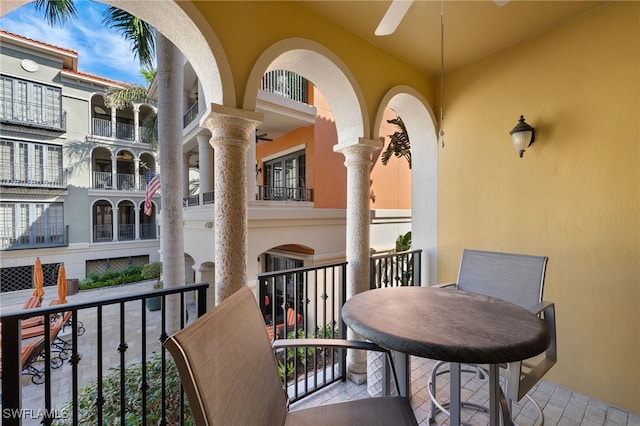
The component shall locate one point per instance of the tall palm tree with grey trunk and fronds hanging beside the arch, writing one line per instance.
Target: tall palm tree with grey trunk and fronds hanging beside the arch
(145, 42)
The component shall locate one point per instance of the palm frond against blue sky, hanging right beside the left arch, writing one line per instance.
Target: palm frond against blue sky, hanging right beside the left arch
(140, 34)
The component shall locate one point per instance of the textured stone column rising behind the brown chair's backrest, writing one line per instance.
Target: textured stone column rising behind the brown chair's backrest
(231, 131)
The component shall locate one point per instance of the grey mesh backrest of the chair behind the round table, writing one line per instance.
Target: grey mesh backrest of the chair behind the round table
(516, 278)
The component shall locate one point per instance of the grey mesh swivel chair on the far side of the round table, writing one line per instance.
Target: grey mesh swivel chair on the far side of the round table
(518, 279)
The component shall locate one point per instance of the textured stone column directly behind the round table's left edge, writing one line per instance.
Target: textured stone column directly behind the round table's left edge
(358, 164)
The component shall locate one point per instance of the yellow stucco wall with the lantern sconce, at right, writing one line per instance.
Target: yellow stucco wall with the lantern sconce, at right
(575, 196)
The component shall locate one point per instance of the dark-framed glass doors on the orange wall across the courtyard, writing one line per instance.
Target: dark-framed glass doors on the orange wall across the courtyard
(285, 178)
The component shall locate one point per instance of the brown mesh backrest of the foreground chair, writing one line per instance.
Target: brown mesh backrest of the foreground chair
(227, 366)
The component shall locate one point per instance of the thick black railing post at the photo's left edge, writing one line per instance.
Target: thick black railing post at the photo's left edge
(11, 371)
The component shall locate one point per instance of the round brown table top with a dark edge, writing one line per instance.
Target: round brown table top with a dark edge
(446, 324)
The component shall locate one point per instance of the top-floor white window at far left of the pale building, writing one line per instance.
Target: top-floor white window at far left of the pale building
(32, 103)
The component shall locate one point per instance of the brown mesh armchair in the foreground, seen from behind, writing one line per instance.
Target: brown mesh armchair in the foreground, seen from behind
(229, 373)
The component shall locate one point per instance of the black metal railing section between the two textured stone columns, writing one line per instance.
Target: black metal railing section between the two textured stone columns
(306, 302)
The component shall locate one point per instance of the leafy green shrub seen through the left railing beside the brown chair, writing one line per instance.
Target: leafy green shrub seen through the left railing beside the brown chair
(87, 410)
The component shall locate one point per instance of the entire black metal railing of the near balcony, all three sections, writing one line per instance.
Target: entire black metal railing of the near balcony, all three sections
(104, 335)
